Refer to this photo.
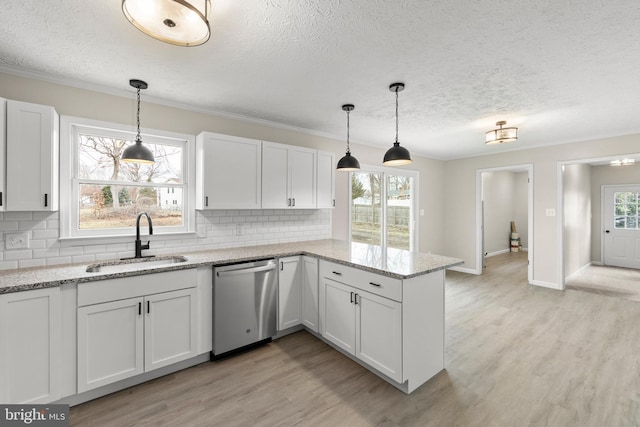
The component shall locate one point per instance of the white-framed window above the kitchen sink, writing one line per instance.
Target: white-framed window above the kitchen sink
(104, 195)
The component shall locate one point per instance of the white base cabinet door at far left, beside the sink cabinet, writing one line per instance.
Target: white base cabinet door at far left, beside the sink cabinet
(30, 335)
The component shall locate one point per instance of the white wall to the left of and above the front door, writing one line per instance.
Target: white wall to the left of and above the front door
(606, 175)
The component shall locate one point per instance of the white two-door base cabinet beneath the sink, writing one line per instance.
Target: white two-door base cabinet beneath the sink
(135, 325)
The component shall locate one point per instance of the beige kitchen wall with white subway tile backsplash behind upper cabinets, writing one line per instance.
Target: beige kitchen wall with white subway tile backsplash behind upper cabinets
(269, 226)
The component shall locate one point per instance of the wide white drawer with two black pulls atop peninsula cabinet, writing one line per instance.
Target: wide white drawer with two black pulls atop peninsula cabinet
(387, 287)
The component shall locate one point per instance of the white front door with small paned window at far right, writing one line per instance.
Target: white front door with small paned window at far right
(621, 226)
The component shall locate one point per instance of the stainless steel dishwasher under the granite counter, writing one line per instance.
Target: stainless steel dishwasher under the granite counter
(244, 305)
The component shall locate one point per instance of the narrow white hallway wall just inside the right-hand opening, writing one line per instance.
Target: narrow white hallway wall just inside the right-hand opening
(577, 217)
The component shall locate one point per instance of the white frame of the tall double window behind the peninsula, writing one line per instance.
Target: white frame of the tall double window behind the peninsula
(414, 233)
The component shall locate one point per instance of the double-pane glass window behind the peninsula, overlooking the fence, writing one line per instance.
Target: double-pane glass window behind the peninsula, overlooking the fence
(383, 202)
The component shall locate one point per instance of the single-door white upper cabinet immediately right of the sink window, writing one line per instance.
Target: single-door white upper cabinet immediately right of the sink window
(228, 172)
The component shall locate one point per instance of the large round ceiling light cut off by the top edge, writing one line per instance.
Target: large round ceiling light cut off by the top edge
(179, 22)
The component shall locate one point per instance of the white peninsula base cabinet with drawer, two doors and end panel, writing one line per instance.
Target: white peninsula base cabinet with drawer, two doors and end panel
(395, 326)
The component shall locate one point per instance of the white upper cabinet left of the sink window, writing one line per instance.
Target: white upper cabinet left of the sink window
(32, 150)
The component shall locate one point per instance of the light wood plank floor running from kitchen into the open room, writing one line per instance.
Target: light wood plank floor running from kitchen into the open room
(516, 355)
